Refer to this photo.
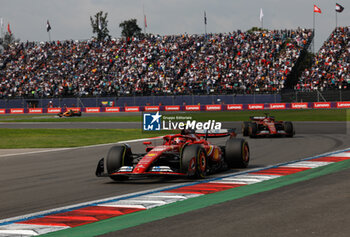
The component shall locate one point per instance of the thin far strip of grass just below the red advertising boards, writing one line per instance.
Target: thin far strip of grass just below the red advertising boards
(291, 115)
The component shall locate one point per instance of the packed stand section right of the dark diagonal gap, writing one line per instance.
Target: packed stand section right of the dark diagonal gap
(331, 66)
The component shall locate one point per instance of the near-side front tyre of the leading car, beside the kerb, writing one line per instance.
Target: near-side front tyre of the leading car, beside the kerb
(194, 161)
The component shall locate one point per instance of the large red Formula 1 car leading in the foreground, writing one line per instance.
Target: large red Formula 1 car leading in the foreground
(187, 154)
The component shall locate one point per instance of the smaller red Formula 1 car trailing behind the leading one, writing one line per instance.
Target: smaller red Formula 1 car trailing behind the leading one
(267, 126)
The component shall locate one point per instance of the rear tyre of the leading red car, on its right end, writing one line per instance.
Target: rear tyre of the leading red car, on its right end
(237, 153)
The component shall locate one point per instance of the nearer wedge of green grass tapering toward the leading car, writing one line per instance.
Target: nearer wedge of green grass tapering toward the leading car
(53, 138)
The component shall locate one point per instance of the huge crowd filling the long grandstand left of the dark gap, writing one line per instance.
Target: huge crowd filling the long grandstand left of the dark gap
(237, 62)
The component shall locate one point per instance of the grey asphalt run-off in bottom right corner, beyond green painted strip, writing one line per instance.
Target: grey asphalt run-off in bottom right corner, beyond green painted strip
(317, 207)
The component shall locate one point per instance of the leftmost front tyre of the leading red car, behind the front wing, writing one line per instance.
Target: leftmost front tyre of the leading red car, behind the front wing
(118, 156)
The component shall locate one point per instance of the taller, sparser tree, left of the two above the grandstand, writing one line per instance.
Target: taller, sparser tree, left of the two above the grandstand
(99, 25)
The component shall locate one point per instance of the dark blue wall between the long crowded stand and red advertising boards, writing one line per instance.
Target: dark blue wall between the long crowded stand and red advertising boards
(141, 101)
